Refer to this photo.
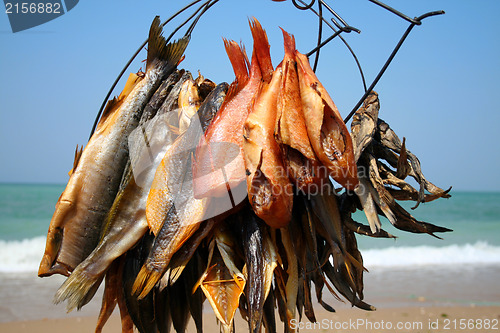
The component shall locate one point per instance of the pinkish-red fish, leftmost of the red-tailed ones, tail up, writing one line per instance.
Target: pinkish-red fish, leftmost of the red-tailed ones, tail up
(219, 165)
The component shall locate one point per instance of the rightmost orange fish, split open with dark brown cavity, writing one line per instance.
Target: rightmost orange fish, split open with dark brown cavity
(327, 132)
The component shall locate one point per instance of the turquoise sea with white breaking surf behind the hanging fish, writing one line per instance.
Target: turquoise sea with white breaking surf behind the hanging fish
(26, 210)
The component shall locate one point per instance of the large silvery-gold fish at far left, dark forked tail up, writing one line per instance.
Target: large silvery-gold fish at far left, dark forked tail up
(76, 224)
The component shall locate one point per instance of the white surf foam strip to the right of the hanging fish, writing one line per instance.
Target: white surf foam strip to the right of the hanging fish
(480, 253)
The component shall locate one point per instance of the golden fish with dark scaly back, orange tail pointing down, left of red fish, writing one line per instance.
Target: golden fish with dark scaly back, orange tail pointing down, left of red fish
(173, 191)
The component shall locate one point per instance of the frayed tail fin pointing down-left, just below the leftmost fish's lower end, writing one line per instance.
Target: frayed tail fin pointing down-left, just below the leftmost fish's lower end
(77, 290)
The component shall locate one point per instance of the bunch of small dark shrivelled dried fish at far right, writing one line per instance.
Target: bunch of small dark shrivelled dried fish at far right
(383, 164)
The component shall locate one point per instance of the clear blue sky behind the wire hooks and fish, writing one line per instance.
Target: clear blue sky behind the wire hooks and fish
(440, 92)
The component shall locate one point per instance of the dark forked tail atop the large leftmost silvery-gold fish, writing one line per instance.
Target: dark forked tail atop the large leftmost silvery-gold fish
(159, 49)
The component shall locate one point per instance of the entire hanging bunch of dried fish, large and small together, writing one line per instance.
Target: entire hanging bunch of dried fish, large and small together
(191, 191)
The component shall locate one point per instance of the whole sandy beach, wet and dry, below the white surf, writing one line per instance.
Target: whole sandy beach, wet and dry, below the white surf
(425, 299)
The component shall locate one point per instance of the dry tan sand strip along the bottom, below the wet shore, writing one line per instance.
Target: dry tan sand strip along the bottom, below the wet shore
(405, 319)
